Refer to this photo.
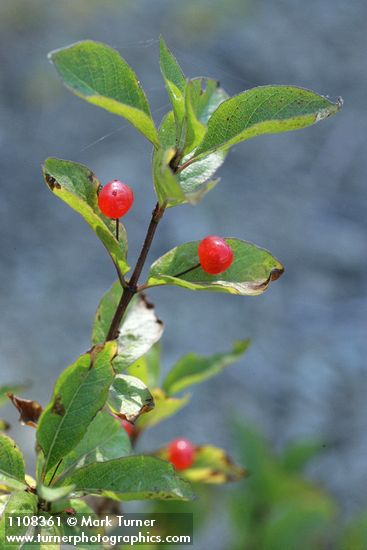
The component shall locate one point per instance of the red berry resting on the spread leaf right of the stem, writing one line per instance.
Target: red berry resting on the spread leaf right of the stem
(215, 255)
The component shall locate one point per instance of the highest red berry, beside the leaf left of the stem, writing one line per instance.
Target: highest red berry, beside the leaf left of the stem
(115, 199)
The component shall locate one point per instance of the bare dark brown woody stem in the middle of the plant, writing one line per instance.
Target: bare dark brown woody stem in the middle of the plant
(131, 289)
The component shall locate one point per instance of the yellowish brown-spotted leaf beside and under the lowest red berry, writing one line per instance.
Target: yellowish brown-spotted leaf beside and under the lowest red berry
(211, 465)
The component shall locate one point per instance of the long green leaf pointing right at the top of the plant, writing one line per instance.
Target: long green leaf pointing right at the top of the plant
(263, 110)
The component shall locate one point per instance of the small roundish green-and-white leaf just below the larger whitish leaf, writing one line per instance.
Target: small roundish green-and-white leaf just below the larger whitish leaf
(129, 397)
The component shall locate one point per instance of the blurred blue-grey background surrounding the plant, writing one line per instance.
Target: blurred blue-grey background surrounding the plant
(302, 195)
